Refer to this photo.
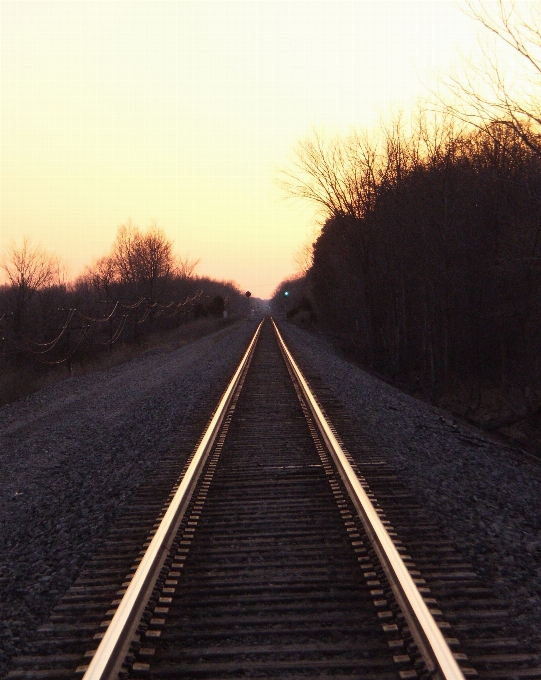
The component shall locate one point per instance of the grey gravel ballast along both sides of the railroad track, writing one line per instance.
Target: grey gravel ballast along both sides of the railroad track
(72, 454)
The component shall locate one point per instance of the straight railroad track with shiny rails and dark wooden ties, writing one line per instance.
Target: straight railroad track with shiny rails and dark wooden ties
(277, 553)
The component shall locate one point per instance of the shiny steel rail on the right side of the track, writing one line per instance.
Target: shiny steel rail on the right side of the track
(431, 644)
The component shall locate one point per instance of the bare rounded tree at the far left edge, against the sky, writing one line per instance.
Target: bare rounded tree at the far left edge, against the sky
(28, 268)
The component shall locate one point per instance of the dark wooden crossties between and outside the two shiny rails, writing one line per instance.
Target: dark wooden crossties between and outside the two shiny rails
(271, 574)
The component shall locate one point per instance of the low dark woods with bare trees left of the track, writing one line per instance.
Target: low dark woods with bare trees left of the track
(140, 289)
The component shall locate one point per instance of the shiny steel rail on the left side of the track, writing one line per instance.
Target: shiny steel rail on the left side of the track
(111, 652)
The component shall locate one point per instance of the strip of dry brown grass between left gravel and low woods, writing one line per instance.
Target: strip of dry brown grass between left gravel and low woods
(19, 382)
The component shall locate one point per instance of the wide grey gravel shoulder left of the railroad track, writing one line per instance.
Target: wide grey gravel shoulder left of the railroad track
(71, 454)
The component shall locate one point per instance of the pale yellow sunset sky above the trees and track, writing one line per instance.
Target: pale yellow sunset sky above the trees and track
(181, 113)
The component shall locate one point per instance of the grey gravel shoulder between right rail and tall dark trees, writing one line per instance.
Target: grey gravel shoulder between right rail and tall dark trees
(487, 496)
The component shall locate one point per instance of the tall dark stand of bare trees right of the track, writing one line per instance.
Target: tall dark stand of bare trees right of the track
(428, 263)
